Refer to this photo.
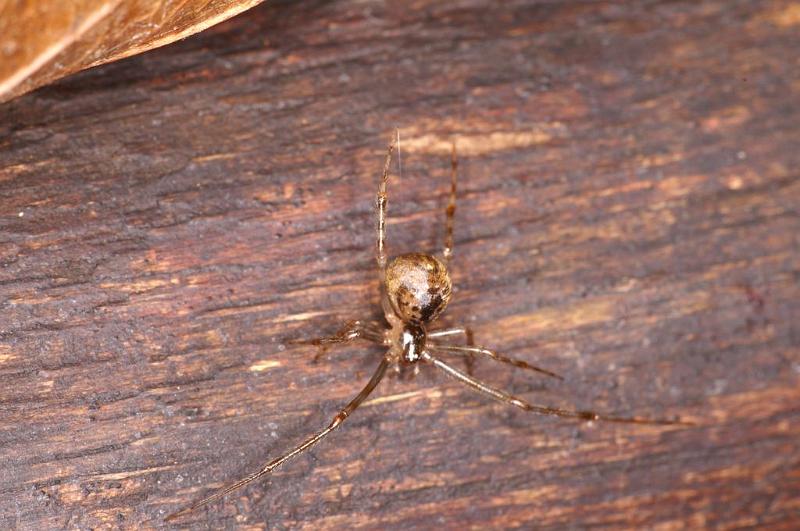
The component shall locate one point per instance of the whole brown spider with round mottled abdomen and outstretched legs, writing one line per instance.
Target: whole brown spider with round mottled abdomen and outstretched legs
(415, 288)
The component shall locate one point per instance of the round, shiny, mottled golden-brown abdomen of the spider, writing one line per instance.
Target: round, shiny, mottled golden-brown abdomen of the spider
(418, 287)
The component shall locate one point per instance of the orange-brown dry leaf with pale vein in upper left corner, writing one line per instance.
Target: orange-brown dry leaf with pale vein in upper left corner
(45, 40)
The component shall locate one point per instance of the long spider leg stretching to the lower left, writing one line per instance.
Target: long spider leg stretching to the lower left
(305, 445)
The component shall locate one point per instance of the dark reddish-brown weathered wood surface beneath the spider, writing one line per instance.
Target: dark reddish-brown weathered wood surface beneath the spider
(628, 217)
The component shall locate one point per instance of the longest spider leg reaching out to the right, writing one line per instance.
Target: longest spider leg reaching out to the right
(504, 397)
